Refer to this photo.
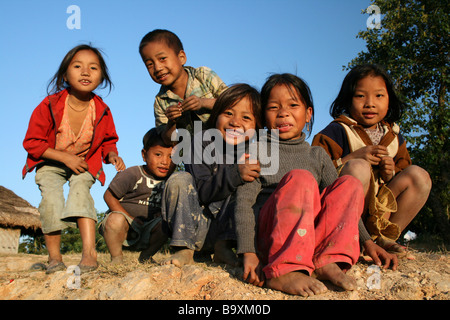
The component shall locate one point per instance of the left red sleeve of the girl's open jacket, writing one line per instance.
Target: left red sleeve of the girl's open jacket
(39, 127)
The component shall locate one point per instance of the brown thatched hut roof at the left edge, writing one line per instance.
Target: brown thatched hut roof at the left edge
(16, 212)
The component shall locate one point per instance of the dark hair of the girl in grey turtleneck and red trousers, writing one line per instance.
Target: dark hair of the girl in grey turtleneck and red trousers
(288, 80)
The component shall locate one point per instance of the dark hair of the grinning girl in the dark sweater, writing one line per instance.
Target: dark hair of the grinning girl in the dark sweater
(233, 95)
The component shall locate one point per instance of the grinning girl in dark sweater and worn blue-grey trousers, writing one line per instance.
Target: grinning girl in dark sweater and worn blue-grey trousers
(198, 204)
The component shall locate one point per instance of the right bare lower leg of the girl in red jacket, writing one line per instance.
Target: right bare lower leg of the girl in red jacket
(87, 232)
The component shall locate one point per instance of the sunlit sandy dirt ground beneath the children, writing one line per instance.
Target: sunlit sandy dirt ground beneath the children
(425, 276)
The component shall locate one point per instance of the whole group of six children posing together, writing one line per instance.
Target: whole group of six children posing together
(307, 221)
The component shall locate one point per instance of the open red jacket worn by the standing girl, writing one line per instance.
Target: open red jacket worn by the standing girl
(45, 121)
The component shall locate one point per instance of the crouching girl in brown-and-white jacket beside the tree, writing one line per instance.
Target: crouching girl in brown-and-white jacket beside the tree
(365, 137)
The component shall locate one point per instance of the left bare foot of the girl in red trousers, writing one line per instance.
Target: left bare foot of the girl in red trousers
(297, 283)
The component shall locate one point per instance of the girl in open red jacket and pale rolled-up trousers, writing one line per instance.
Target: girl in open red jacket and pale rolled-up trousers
(70, 132)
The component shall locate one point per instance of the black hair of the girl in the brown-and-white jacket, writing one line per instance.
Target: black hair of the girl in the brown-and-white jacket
(343, 101)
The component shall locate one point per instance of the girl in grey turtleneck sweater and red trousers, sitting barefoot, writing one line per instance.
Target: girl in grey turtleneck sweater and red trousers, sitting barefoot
(300, 220)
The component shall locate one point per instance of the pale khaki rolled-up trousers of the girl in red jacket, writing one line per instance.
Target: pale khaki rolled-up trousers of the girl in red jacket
(55, 212)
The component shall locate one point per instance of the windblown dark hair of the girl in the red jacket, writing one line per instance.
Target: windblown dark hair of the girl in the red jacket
(57, 82)
